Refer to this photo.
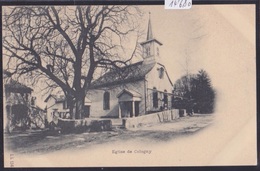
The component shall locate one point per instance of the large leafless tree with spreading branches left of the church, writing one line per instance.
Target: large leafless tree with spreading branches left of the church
(64, 46)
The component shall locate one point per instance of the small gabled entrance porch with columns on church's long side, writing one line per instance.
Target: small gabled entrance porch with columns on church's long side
(128, 103)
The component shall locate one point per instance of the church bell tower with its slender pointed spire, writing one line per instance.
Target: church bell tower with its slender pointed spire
(151, 47)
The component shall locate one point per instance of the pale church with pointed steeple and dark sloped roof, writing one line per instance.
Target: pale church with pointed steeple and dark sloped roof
(138, 89)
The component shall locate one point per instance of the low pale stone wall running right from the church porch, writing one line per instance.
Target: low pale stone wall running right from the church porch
(150, 119)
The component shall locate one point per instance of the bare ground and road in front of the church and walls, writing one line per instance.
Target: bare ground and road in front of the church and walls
(42, 142)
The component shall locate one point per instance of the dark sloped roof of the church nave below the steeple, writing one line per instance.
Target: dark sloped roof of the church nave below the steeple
(130, 73)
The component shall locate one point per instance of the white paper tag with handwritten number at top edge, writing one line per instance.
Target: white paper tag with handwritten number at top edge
(178, 4)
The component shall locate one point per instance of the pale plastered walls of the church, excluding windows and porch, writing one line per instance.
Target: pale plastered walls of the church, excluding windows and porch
(144, 87)
